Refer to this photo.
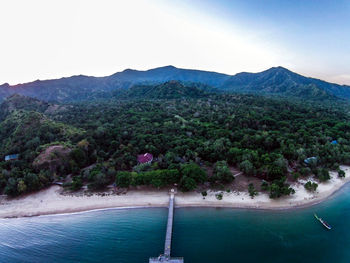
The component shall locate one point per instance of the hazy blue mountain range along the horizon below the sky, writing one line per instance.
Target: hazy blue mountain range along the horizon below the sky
(274, 81)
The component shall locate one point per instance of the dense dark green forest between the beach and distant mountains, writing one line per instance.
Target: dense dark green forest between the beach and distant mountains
(186, 132)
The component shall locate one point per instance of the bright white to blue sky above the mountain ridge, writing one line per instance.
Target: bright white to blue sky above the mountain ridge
(45, 39)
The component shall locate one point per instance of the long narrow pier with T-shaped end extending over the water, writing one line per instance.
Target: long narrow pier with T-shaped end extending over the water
(169, 231)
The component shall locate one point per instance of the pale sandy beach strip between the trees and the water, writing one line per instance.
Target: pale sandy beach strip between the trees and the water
(50, 201)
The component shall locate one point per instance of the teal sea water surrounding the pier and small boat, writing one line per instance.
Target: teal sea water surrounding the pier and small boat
(200, 235)
